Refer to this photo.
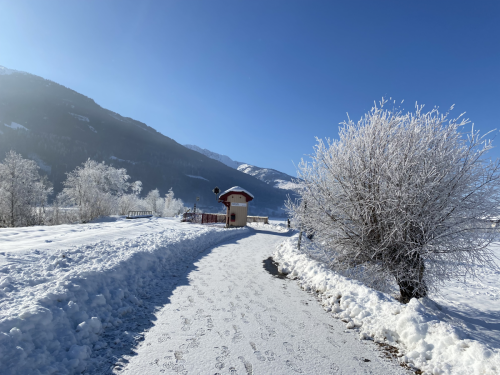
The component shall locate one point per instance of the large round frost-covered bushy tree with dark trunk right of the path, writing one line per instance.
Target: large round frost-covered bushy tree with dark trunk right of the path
(409, 196)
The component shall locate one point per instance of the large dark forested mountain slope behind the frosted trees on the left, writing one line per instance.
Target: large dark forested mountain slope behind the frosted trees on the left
(60, 129)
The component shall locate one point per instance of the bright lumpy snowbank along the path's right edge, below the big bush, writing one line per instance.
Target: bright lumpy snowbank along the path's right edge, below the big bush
(428, 343)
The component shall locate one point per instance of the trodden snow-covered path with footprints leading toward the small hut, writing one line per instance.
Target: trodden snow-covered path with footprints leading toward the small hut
(228, 315)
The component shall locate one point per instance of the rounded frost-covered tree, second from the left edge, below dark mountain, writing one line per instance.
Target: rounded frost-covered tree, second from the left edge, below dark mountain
(94, 188)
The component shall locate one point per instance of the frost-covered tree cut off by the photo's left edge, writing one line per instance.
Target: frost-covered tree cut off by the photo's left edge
(23, 192)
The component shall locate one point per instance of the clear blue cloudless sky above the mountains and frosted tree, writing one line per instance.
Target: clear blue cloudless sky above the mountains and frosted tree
(284, 71)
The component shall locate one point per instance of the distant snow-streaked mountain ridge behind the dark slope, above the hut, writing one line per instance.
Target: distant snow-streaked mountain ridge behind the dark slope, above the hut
(270, 176)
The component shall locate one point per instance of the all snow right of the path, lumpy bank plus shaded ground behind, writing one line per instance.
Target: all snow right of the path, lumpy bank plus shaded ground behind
(454, 332)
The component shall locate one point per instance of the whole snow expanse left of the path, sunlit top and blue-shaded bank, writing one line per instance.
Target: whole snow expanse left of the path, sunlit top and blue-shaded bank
(70, 302)
